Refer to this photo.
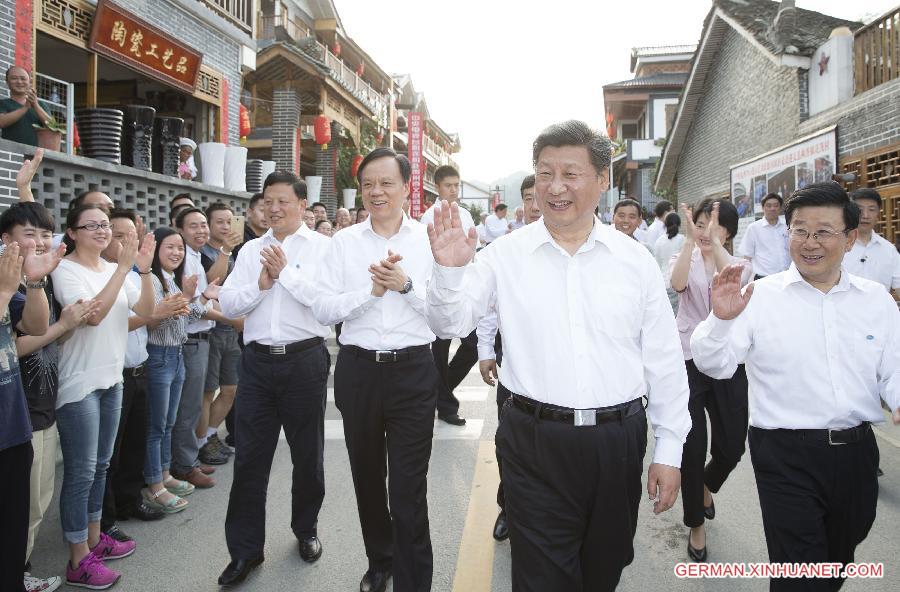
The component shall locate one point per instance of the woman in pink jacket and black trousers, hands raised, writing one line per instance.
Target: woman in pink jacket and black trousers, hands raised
(710, 225)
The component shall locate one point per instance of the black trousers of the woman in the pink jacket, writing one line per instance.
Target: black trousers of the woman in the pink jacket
(725, 401)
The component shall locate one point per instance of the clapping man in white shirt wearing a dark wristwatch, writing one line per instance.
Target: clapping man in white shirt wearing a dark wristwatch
(373, 280)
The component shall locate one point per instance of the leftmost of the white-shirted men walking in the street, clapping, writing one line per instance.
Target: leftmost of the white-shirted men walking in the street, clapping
(284, 373)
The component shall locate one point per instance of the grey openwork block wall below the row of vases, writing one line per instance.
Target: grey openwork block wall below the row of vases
(61, 177)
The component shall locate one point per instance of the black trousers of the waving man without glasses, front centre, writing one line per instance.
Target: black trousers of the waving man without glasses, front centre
(572, 496)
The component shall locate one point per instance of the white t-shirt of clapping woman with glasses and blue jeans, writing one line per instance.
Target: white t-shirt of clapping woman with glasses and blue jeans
(92, 357)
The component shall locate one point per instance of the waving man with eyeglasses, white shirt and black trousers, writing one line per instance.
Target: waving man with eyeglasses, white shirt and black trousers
(820, 347)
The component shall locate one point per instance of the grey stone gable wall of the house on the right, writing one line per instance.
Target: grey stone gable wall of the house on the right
(750, 106)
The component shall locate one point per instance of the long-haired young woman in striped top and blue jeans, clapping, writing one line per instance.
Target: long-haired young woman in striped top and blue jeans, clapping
(165, 370)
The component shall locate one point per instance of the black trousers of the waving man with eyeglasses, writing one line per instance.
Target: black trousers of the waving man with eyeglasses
(817, 500)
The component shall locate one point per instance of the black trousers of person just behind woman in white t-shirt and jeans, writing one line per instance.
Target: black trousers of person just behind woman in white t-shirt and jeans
(125, 477)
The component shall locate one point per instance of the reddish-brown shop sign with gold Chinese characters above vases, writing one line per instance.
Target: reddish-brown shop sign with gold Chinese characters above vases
(127, 39)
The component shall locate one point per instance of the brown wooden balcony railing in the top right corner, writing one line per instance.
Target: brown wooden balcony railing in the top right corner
(876, 52)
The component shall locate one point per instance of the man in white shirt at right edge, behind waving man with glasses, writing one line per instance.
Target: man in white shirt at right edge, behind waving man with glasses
(872, 256)
